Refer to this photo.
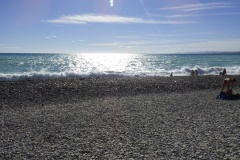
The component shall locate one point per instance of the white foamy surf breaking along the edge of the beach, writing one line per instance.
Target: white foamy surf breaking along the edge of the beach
(184, 71)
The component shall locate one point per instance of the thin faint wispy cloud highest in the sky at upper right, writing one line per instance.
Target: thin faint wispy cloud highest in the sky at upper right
(201, 6)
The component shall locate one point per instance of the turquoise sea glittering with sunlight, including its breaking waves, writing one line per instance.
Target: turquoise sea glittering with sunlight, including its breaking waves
(20, 66)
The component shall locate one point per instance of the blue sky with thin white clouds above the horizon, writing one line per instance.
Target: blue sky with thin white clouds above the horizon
(119, 26)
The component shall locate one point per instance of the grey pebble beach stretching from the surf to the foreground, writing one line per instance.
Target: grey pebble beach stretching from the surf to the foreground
(119, 118)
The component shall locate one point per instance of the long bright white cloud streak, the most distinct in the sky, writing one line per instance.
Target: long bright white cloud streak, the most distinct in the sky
(91, 18)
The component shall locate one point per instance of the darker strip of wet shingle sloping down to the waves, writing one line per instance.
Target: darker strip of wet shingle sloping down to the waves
(55, 90)
